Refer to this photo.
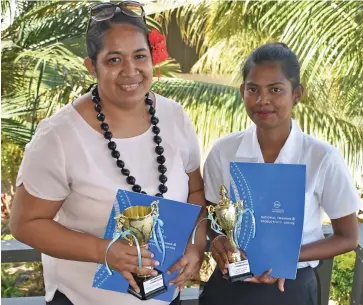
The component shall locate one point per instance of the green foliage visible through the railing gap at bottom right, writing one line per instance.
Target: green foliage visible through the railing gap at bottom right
(342, 278)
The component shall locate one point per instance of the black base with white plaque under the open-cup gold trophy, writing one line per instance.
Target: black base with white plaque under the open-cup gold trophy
(150, 287)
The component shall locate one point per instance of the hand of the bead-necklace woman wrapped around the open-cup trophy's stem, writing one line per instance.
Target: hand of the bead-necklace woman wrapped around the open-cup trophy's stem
(123, 258)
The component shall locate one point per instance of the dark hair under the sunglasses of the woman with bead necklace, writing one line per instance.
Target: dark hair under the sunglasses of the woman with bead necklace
(97, 29)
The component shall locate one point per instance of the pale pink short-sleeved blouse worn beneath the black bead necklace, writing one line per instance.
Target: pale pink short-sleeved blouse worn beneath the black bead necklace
(68, 160)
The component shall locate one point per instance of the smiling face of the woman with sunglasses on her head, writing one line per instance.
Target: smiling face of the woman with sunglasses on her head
(124, 67)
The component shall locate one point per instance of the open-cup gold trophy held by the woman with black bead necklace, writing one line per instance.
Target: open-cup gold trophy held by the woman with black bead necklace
(139, 220)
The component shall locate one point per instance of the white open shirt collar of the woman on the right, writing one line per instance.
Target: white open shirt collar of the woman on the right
(289, 154)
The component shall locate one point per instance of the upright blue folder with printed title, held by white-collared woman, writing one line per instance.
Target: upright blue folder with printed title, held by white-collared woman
(276, 193)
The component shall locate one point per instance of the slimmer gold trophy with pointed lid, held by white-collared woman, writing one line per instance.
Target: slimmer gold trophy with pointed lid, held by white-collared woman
(226, 216)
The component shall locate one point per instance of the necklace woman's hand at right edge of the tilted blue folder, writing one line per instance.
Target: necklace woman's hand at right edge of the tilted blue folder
(190, 263)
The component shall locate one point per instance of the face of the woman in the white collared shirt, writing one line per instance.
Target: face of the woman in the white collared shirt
(269, 96)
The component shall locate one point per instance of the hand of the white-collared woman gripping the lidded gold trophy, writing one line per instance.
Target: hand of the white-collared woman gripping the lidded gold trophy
(220, 248)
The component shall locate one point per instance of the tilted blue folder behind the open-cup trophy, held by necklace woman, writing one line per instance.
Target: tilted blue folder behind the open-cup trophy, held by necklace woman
(179, 219)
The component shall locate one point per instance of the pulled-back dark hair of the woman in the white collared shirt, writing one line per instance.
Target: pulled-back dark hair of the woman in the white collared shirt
(275, 52)
